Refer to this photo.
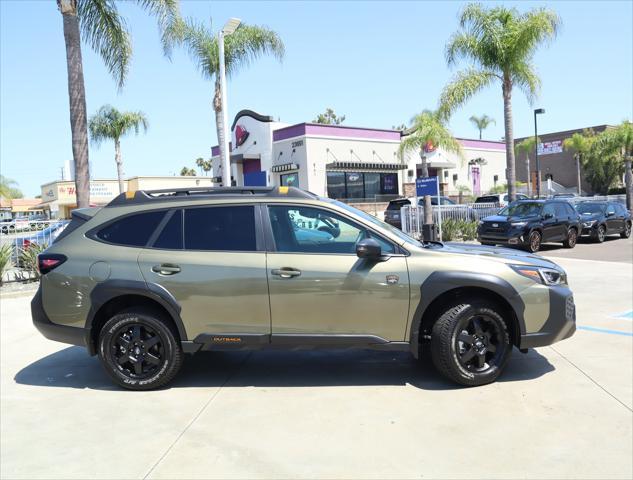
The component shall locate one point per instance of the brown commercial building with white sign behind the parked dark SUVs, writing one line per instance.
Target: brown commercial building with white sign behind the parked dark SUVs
(557, 163)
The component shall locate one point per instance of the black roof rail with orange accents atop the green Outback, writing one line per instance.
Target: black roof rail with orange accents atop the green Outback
(166, 194)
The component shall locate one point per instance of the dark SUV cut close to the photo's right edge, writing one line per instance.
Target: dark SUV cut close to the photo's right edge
(601, 218)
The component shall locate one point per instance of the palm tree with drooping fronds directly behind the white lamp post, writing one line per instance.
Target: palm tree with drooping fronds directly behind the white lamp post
(242, 47)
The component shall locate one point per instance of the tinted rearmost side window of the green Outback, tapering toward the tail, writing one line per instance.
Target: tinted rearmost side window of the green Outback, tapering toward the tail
(131, 230)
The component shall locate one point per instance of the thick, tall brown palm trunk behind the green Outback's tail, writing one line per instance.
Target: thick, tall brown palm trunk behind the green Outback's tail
(77, 100)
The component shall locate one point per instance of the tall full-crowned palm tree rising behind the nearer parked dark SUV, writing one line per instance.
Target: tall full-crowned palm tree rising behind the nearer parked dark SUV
(500, 43)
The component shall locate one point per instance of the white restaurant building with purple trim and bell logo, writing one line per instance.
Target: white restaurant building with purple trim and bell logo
(349, 162)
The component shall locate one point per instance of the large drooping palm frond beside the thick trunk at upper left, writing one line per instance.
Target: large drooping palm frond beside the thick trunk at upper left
(106, 32)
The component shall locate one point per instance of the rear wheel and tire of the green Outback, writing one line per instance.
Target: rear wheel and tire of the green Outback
(143, 335)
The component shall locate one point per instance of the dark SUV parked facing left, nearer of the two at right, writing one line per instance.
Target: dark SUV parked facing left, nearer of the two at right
(529, 223)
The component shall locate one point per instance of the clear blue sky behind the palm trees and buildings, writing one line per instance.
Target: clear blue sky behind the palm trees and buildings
(378, 63)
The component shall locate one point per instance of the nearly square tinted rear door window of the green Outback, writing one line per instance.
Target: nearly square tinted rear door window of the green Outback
(226, 228)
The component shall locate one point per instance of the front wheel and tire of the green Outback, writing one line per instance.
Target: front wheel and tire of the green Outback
(454, 351)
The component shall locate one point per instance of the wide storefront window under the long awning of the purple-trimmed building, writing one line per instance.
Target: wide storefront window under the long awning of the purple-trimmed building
(358, 185)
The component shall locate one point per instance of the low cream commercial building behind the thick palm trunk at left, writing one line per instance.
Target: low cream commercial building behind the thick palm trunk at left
(59, 199)
